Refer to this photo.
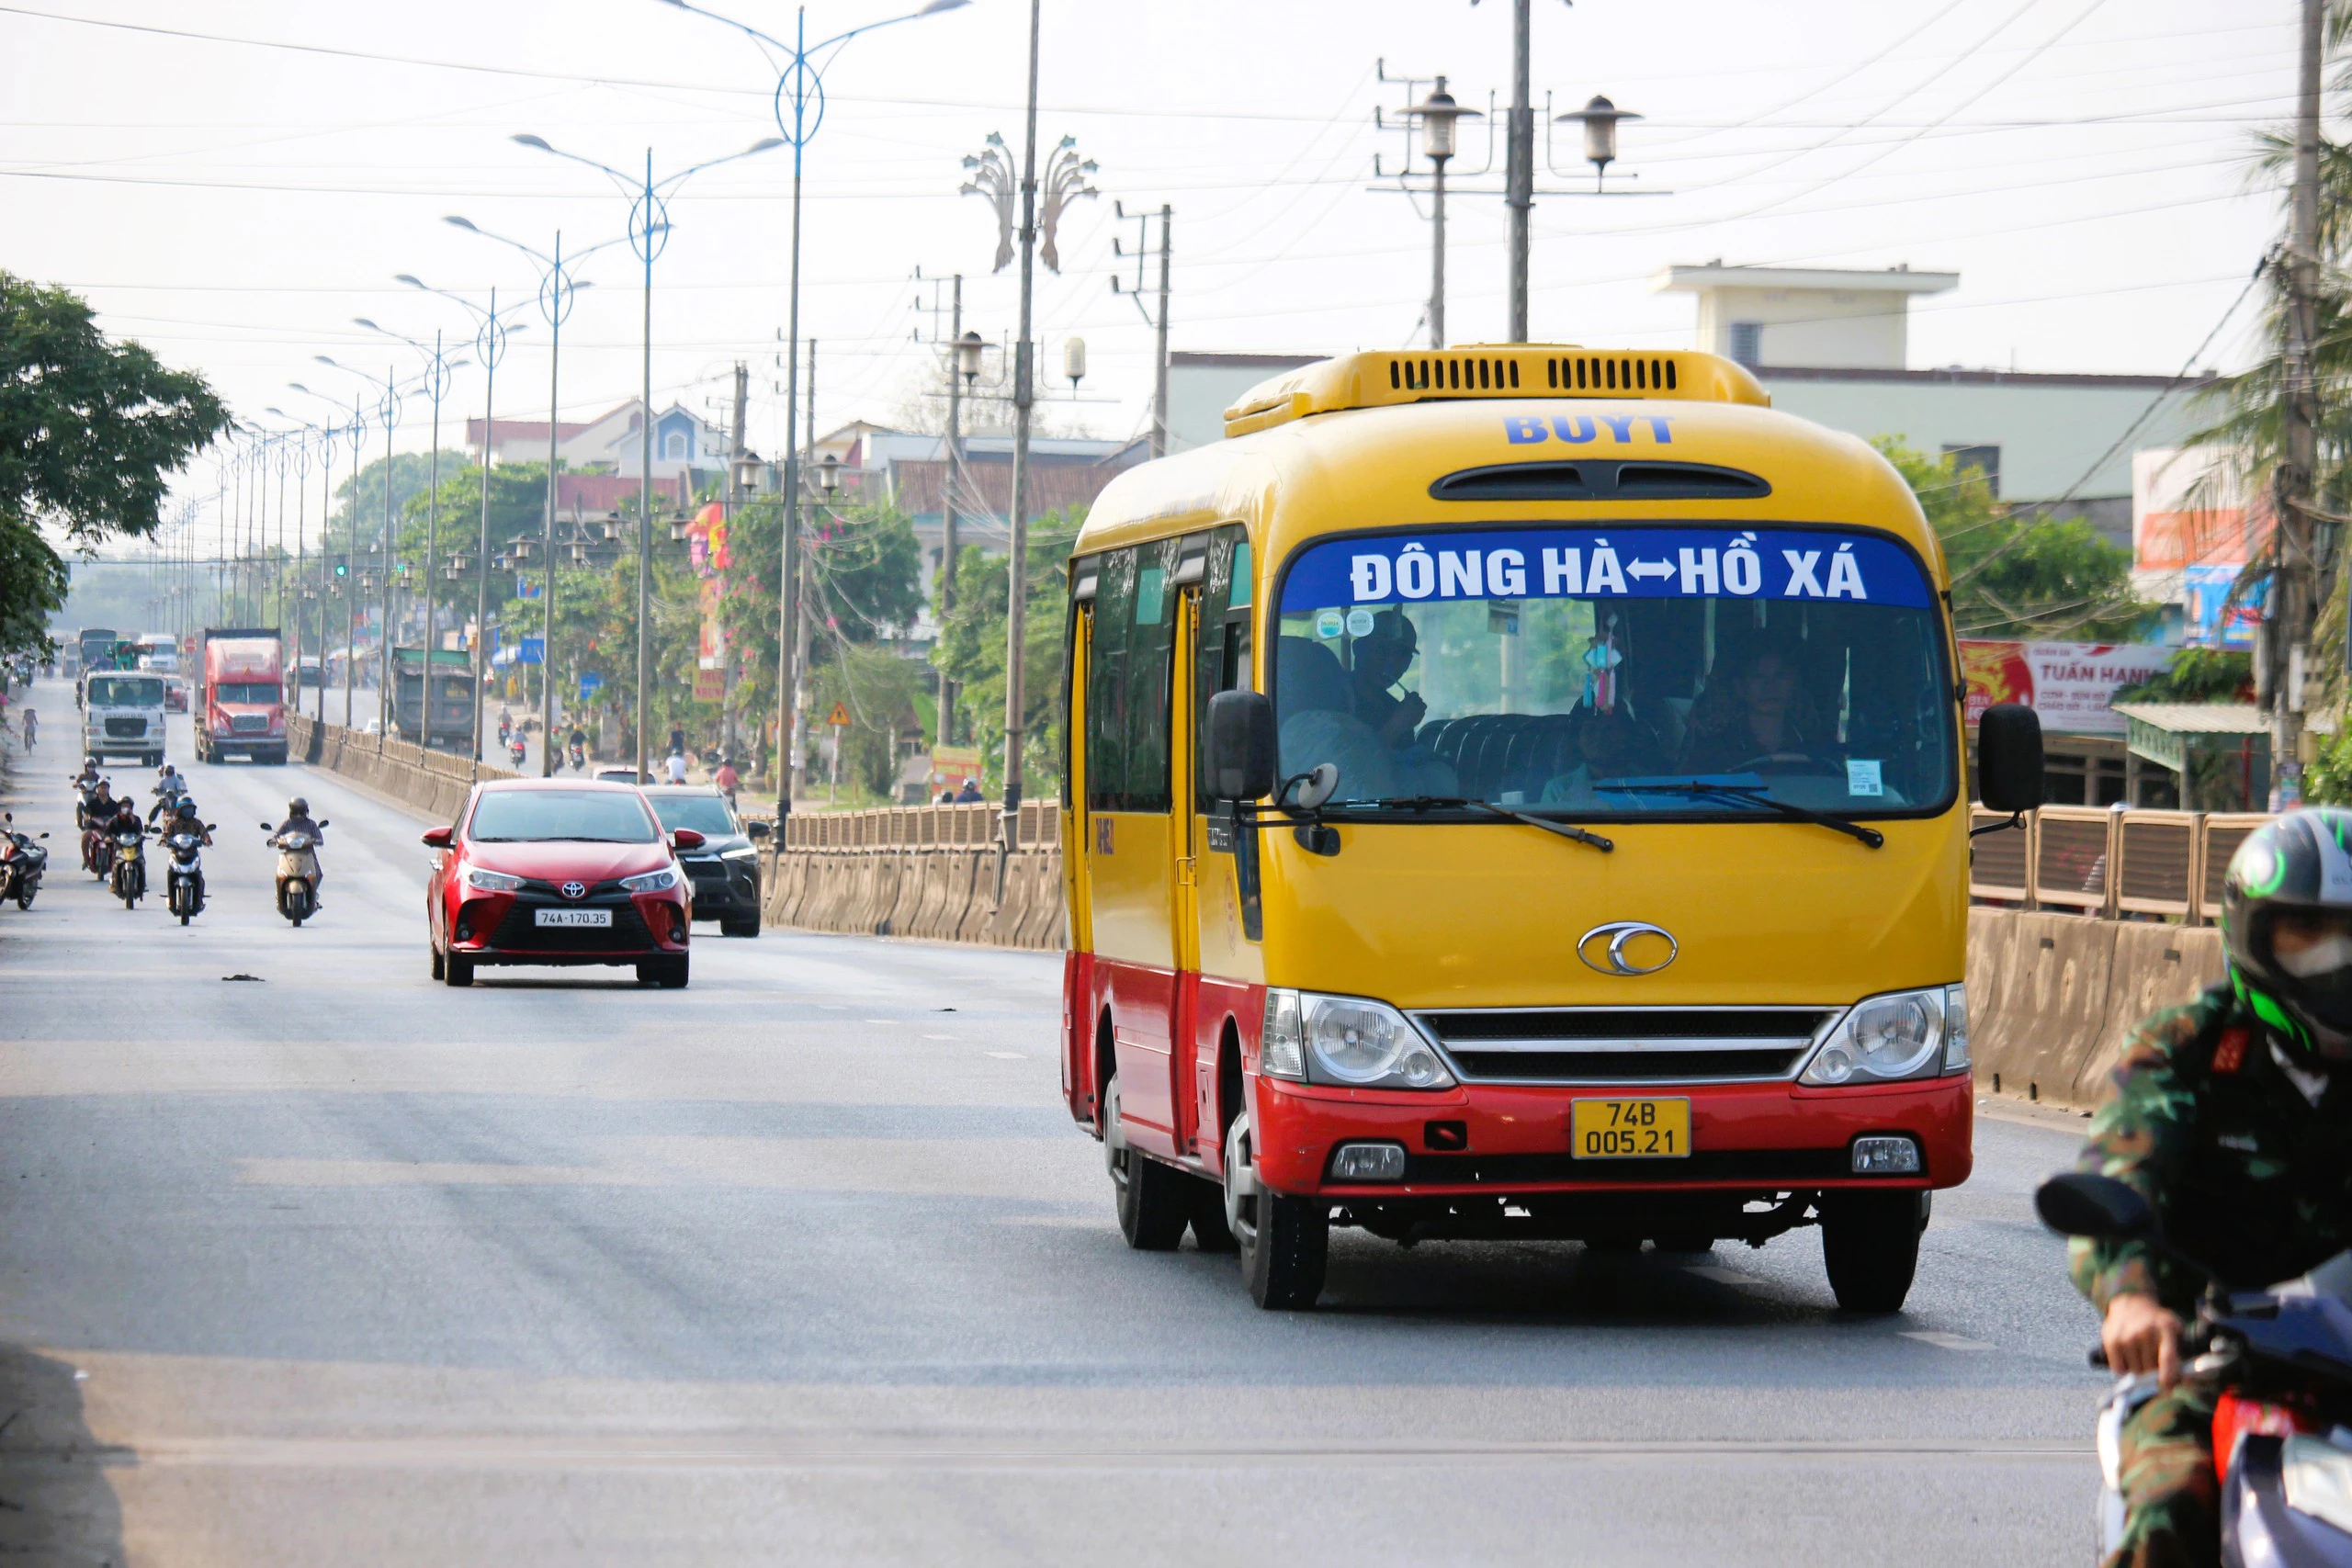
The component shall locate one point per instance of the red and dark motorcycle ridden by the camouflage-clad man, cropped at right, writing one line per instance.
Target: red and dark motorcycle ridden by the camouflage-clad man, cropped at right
(2280, 1365)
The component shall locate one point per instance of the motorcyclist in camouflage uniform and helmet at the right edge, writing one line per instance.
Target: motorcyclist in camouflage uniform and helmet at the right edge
(2229, 1115)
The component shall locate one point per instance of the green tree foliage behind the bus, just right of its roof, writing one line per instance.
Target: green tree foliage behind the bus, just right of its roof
(2019, 575)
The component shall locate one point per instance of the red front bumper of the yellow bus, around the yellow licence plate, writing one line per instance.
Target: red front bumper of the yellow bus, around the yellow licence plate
(1485, 1141)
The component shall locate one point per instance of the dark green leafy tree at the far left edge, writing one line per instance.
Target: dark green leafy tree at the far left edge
(91, 431)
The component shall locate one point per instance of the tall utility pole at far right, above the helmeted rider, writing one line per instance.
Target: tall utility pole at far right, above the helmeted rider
(2294, 589)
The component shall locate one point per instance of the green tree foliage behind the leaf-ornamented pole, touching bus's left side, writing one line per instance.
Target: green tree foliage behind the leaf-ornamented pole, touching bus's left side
(973, 652)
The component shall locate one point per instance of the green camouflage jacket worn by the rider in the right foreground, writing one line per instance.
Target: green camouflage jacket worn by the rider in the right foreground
(2247, 1174)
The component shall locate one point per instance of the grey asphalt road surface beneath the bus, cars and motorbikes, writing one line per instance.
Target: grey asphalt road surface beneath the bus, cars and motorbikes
(808, 1266)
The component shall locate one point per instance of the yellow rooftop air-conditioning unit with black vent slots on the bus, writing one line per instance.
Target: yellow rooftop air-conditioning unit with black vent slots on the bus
(1490, 370)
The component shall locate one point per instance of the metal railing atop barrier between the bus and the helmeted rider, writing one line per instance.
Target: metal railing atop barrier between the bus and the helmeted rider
(2111, 864)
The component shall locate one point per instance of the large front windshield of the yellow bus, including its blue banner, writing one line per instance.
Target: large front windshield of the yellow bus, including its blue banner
(1617, 671)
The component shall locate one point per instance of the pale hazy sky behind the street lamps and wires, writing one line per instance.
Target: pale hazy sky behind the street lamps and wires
(2080, 163)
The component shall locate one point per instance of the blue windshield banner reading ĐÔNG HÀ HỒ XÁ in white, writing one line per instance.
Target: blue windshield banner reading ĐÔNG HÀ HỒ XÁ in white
(1608, 563)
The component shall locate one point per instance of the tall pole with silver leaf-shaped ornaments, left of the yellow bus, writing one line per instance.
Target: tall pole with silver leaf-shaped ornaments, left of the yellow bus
(994, 177)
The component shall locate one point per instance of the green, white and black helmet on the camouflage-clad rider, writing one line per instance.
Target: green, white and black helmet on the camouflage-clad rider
(2287, 925)
